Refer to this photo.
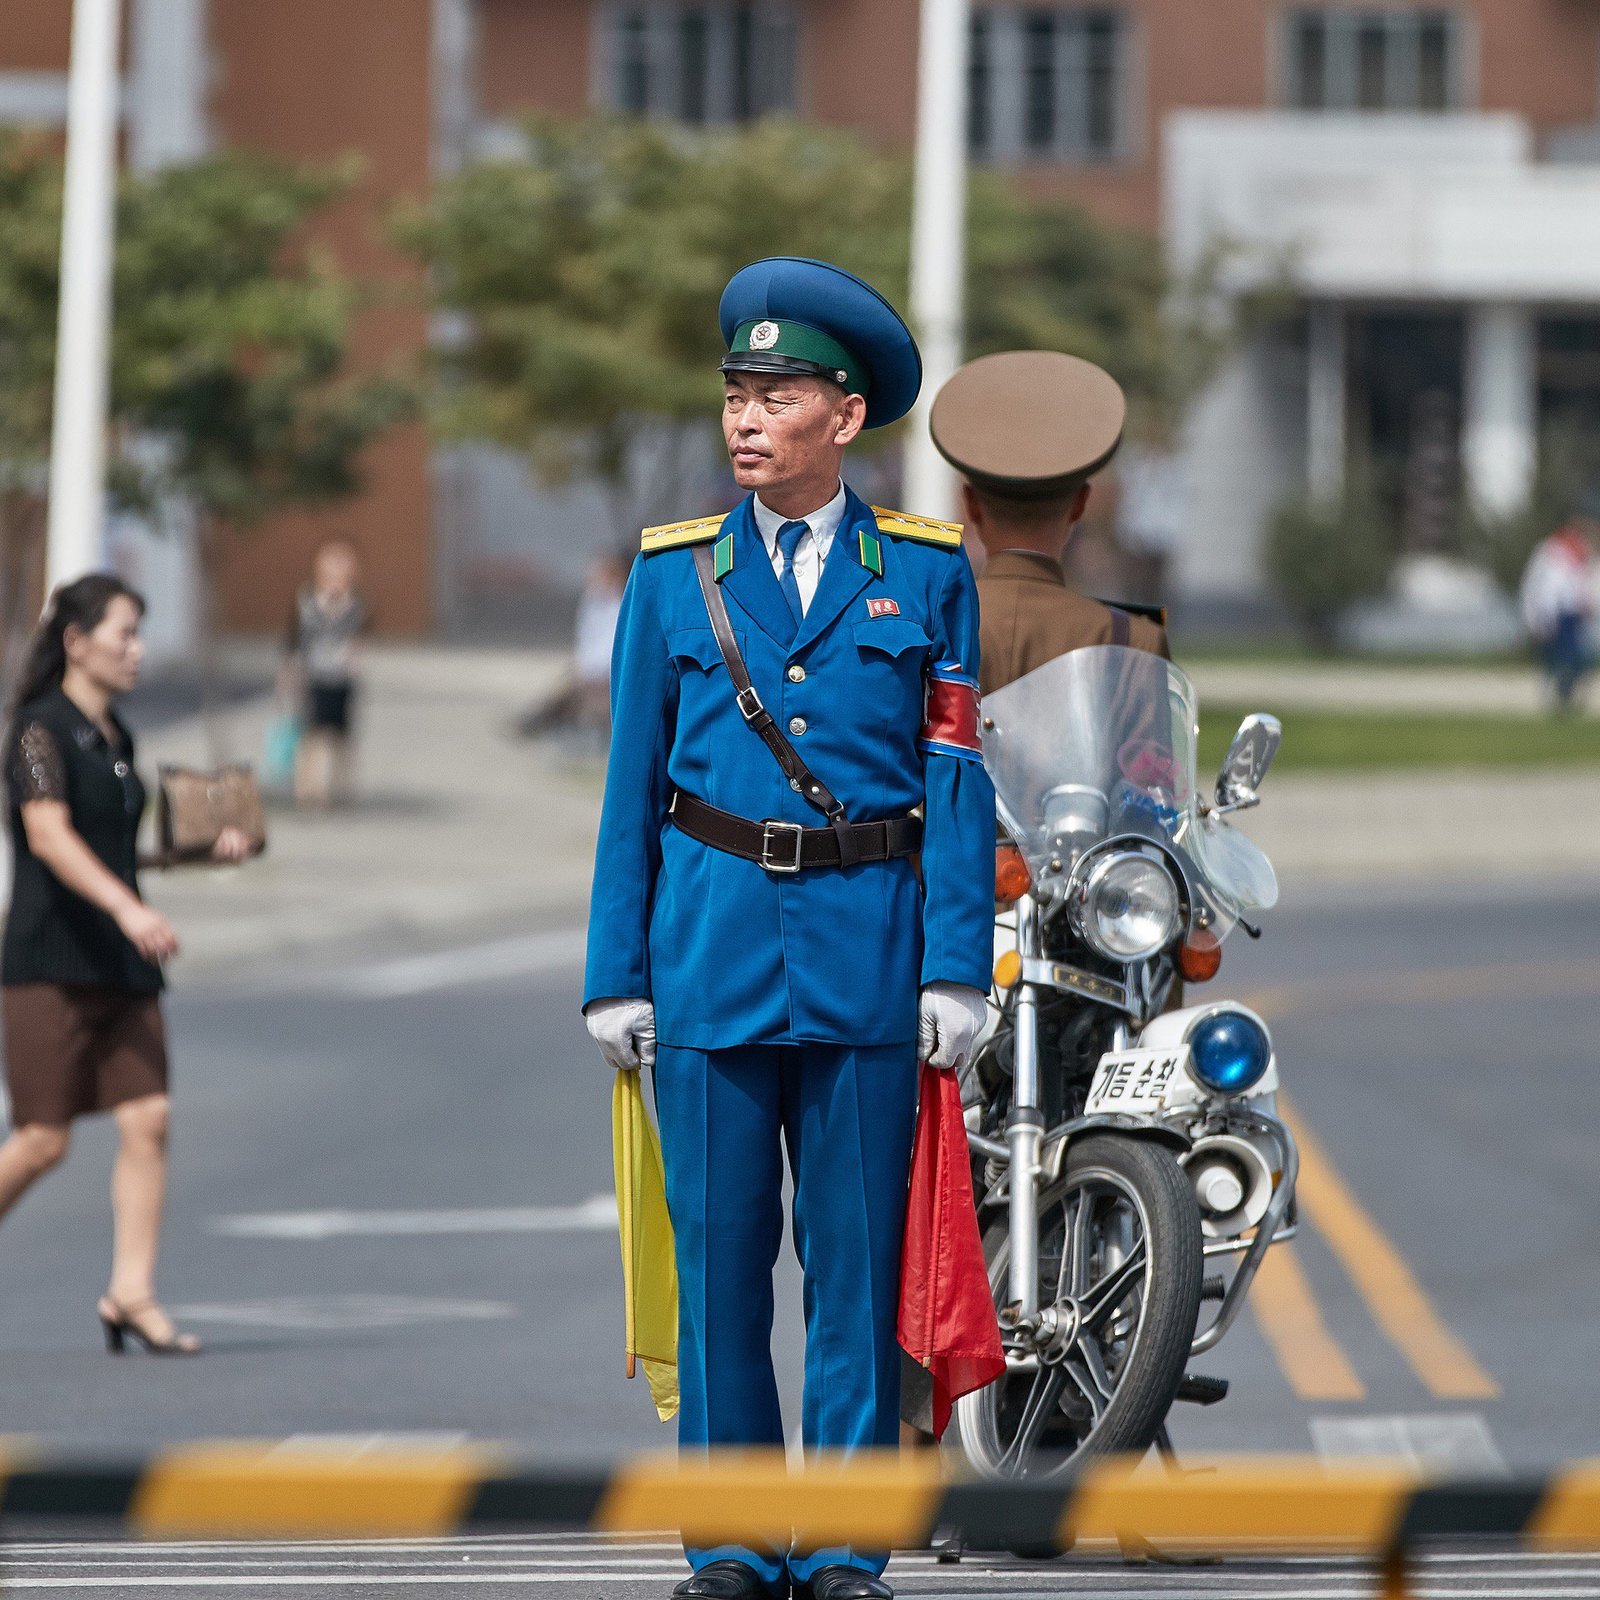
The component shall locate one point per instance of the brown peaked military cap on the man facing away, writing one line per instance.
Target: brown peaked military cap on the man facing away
(1030, 423)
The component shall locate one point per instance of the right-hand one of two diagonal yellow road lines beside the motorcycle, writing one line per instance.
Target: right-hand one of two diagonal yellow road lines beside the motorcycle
(1380, 1273)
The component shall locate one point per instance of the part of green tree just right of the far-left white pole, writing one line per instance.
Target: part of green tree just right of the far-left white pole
(231, 348)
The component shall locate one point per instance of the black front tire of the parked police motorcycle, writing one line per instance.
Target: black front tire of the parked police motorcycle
(1154, 1367)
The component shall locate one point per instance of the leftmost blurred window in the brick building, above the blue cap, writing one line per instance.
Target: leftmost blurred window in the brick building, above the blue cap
(700, 62)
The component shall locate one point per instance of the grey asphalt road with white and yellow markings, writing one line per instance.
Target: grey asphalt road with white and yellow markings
(390, 1220)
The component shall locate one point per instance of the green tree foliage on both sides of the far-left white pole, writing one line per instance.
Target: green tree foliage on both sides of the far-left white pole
(230, 386)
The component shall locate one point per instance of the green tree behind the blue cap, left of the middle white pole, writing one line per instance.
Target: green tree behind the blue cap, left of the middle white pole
(586, 271)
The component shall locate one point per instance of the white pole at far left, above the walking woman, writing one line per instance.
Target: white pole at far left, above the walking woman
(78, 449)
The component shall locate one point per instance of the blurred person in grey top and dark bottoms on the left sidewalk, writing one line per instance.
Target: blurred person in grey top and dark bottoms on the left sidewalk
(327, 623)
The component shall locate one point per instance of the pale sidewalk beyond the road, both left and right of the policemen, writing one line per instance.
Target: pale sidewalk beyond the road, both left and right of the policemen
(463, 826)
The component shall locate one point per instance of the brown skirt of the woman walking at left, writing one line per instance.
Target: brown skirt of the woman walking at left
(73, 1050)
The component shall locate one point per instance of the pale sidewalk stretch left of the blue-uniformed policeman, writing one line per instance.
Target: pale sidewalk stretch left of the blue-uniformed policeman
(458, 823)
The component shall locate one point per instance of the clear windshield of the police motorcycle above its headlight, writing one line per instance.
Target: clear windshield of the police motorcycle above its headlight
(1098, 745)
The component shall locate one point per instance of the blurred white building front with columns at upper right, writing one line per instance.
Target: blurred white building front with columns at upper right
(1450, 292)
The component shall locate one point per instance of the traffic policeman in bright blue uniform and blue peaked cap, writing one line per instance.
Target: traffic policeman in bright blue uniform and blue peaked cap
(794, 732)
